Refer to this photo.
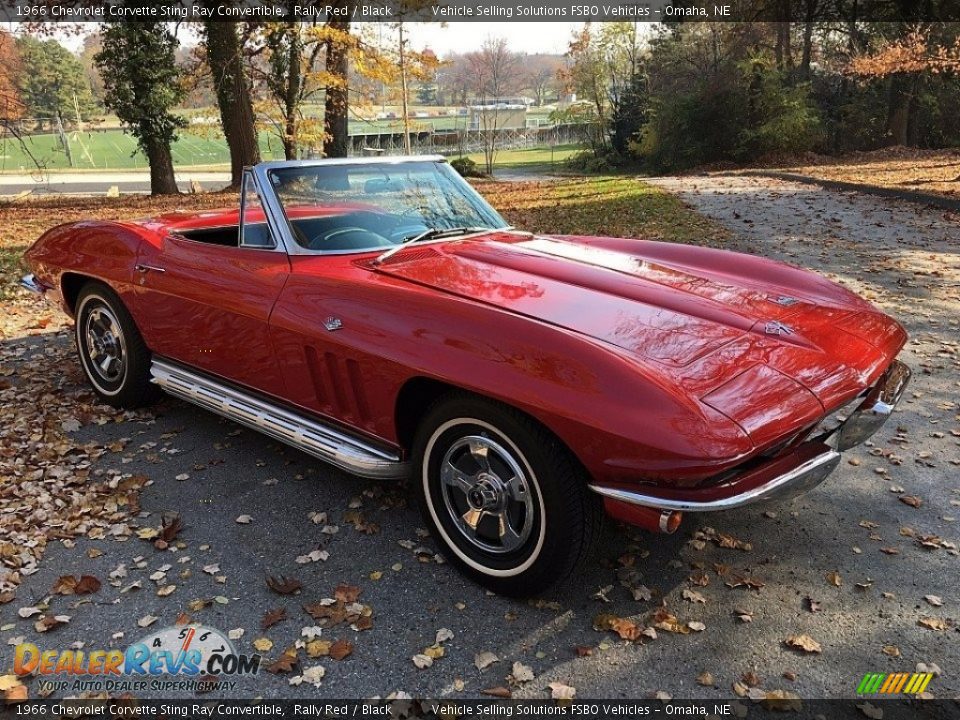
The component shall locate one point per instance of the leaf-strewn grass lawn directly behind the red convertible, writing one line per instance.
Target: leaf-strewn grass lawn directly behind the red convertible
(616, 206)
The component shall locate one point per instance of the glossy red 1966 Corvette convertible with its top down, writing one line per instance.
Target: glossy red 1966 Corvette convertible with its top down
(381, 316)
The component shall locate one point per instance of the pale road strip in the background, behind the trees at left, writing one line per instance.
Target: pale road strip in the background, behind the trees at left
(98, 183)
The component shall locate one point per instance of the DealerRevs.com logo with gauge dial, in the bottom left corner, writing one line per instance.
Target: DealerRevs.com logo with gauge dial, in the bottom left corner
(187, 657)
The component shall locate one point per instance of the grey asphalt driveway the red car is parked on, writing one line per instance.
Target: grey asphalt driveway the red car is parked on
(902, 256)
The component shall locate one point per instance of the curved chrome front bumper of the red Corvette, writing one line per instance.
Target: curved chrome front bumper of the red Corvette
(787, 476)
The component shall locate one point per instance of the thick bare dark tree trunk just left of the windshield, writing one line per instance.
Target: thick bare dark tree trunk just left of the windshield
(224, 55)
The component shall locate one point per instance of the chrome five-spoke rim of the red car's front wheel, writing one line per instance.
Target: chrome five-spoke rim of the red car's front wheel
(487, 494)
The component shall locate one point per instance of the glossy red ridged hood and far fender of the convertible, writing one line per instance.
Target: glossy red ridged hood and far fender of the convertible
(703, 317)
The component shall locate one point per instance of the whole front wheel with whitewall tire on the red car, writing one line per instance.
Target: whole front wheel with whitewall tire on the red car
(506, 499)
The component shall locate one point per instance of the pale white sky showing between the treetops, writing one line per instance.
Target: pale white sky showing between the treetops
(524, 37)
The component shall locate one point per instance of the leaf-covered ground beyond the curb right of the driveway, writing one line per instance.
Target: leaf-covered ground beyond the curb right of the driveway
(929, 171)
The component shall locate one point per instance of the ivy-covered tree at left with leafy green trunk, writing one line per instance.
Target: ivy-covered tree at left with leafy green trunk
(141, 85)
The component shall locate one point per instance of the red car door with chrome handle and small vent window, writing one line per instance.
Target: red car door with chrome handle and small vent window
(209, 305)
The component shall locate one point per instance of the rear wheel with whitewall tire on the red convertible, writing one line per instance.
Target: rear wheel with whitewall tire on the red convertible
(114, 357)
